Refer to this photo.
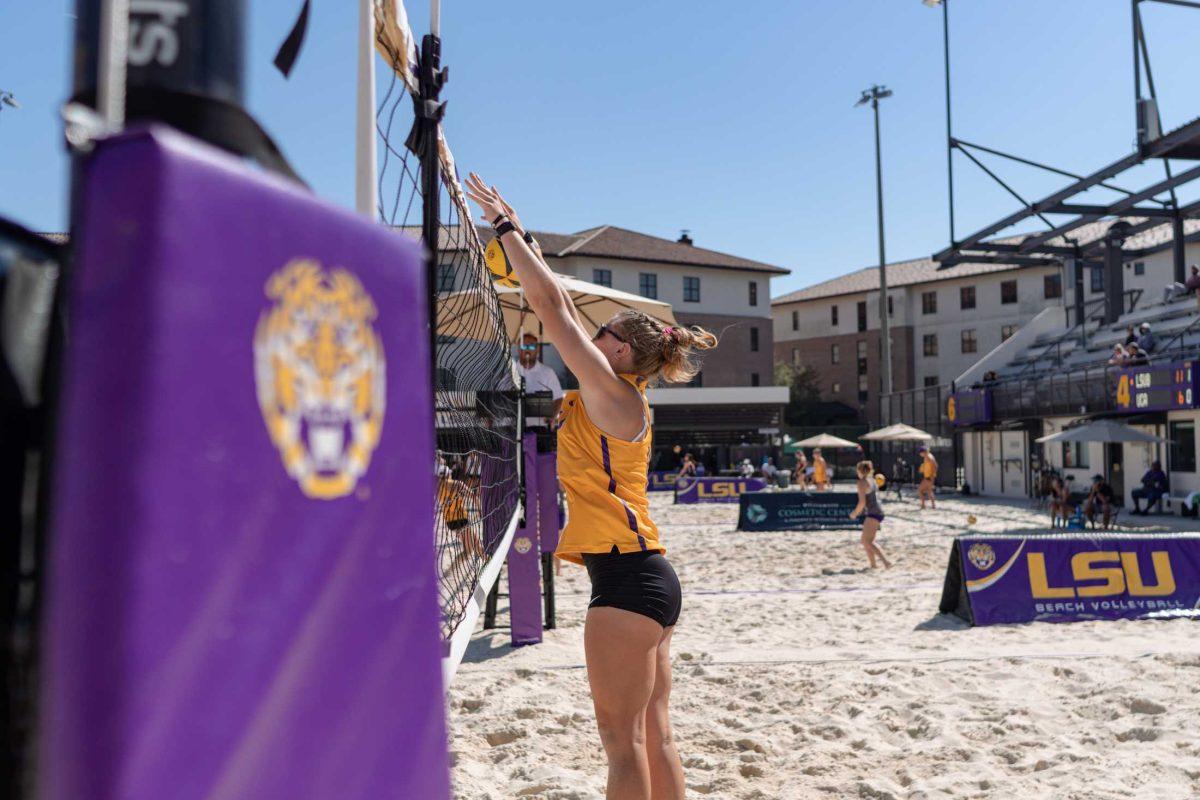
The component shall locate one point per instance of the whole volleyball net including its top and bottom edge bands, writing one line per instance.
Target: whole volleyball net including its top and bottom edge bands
(477, 400)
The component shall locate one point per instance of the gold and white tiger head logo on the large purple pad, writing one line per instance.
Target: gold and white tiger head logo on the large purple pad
(320, 376)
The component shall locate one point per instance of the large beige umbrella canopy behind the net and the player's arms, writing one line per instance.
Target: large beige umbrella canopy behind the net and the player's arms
(470, 314)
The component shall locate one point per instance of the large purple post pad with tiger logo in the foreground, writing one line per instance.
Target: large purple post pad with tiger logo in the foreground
(244, 574)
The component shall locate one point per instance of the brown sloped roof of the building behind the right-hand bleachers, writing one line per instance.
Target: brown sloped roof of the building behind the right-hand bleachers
(926, 270)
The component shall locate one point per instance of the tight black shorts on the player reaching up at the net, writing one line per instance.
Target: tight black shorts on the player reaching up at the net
(644, 584)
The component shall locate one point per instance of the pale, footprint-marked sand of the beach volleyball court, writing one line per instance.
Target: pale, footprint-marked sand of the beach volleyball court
(802, 675)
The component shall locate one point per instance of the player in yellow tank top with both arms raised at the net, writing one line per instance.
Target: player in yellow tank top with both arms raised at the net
(604, 447)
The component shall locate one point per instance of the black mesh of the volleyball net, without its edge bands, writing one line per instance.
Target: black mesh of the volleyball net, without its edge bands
(477, 404)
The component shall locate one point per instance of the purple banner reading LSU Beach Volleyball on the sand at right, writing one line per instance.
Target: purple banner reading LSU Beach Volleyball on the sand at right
(1065, 579)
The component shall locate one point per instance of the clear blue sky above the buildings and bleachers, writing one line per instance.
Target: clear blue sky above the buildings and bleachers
(733, 119)
